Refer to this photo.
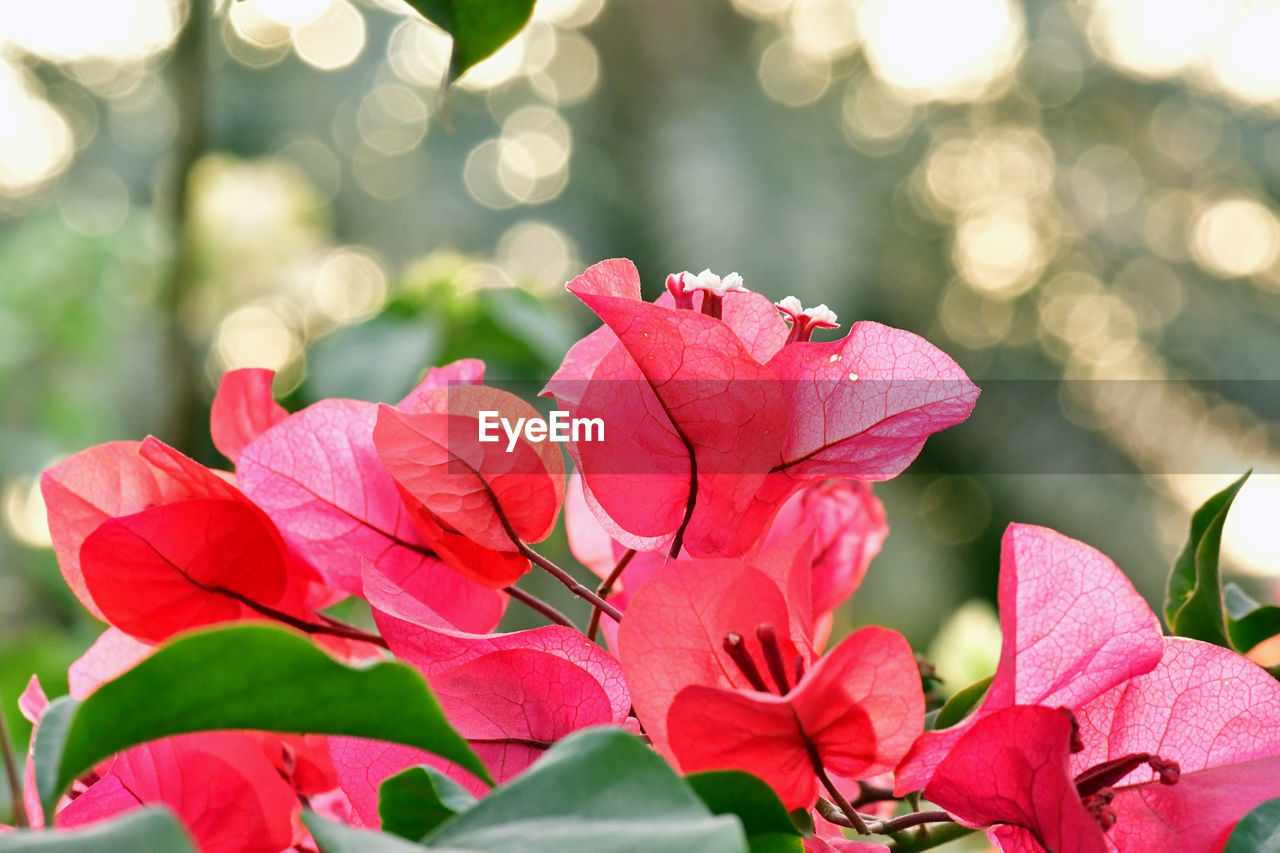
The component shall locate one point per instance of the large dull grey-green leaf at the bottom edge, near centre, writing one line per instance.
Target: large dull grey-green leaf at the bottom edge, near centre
(600, 790)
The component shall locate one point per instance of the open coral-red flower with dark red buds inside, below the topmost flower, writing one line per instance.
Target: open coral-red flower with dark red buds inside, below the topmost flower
(720, 659)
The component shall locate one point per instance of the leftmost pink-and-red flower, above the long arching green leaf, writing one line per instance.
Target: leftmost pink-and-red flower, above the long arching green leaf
(153, 542)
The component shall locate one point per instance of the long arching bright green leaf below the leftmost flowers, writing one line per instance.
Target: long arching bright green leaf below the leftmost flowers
(243, 677)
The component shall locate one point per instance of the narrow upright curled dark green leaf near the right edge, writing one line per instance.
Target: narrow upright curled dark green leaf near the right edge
(1194, 605)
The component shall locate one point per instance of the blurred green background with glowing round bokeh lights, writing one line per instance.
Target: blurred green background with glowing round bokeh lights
(1077, 200)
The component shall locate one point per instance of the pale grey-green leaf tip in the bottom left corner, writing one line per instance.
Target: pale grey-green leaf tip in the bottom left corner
(154, 831)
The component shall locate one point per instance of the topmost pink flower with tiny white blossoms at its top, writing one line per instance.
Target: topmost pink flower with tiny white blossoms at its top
(717, 414)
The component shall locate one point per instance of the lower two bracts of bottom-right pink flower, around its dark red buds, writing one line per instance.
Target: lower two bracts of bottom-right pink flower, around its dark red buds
(1168, 760)
